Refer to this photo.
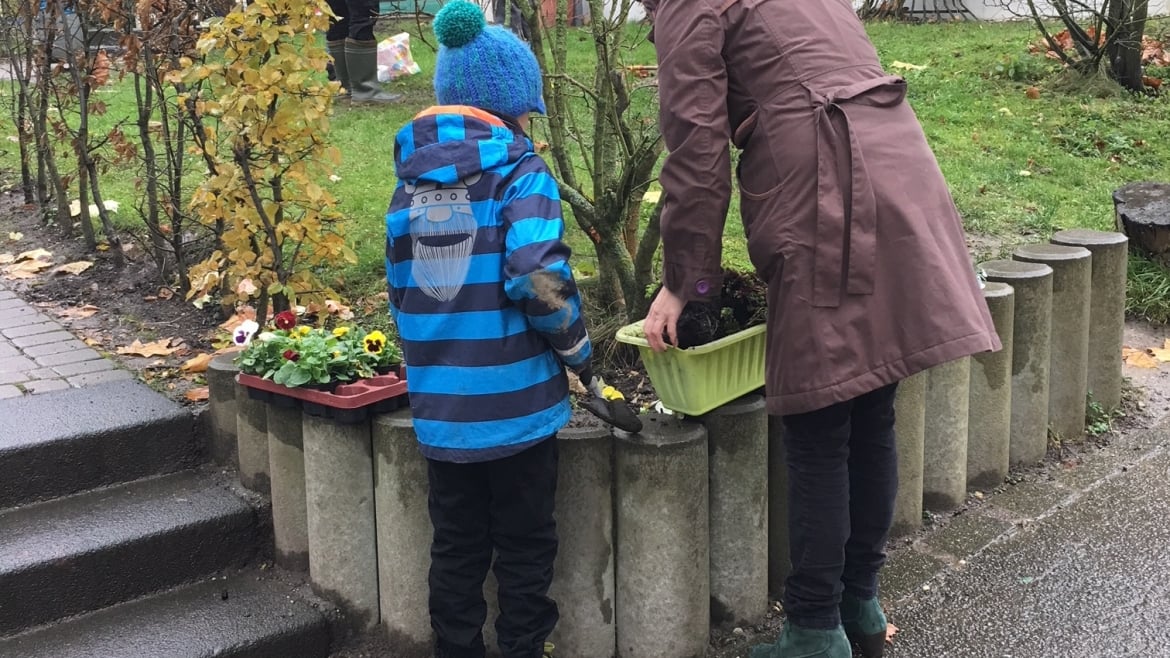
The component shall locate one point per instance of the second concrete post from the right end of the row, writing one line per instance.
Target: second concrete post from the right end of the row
(1072, 284)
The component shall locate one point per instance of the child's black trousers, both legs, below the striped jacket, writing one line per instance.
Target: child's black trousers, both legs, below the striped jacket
(505, 505)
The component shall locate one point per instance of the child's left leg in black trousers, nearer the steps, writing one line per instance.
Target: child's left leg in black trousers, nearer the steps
(460, 556)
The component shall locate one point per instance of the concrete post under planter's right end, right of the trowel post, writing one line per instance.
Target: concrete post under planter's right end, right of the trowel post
(738, 460)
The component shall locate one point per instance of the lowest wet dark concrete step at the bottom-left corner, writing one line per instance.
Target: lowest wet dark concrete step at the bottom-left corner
(247, 615)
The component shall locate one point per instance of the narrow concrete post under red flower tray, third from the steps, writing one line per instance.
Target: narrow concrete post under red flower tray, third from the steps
(286, 470)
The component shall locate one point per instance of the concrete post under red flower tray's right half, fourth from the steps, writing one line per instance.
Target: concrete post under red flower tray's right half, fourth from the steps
(339, 483)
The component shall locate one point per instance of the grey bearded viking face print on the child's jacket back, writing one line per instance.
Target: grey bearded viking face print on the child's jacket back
(443, 234)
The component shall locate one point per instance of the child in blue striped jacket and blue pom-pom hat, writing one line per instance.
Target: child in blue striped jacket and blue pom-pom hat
(490, 317)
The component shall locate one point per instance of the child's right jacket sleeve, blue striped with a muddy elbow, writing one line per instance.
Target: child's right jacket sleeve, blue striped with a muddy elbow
(538, 277)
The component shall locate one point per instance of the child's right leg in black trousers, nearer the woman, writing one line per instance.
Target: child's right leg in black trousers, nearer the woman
(524, 493)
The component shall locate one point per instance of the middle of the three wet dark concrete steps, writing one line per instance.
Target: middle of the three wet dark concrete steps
(86, 552)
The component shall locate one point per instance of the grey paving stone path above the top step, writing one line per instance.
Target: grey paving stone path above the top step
(39, 355)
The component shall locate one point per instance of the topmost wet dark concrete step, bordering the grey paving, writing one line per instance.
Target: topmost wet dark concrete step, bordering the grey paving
(67, 442)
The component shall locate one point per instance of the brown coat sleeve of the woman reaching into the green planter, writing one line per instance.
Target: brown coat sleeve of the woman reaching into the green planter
(697, 175)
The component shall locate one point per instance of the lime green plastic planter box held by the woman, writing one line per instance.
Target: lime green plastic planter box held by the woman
(698, 380)
